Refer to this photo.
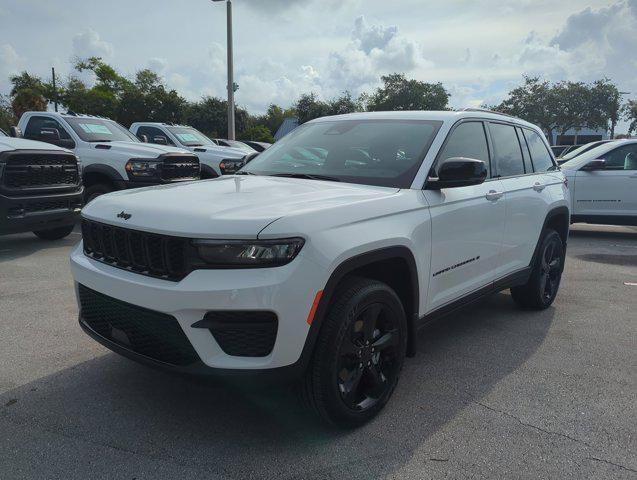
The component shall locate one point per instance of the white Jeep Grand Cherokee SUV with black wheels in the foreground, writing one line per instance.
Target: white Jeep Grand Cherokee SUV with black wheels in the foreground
(322, 257)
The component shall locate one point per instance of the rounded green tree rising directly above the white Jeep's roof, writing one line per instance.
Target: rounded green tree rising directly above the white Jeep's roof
(399, 93)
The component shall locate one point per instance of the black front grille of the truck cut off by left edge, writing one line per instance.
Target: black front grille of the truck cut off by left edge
(32, 169)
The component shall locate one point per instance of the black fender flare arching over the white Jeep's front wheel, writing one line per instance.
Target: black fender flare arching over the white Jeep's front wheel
(347, 267)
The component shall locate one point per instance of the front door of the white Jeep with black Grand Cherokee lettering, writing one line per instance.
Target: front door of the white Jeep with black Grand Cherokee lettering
(467, 223)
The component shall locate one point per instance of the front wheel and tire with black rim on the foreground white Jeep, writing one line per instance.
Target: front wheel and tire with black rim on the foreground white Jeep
(359, 353)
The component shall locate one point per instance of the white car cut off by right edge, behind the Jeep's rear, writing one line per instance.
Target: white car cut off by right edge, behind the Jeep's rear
(603, 184)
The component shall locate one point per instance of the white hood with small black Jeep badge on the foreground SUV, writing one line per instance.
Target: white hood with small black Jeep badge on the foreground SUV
(225, 207)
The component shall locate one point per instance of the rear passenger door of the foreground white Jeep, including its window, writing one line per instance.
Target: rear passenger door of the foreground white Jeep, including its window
(525, 193)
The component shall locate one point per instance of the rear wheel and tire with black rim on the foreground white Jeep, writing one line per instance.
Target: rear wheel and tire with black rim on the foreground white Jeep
(541, 289)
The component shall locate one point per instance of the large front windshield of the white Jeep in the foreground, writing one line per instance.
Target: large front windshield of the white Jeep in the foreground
(372, 152)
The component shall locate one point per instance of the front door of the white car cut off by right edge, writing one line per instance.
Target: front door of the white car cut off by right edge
(611, 191)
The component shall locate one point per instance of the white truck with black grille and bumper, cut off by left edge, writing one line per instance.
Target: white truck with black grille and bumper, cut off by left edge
(40, 188)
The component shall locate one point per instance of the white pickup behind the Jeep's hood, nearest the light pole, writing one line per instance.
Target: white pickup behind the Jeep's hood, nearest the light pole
(215, 160)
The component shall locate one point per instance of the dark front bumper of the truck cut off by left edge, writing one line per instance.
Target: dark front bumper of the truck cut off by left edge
(39, 212)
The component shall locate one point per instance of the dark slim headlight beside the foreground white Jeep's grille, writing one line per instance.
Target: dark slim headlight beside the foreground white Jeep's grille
(248, 253)
